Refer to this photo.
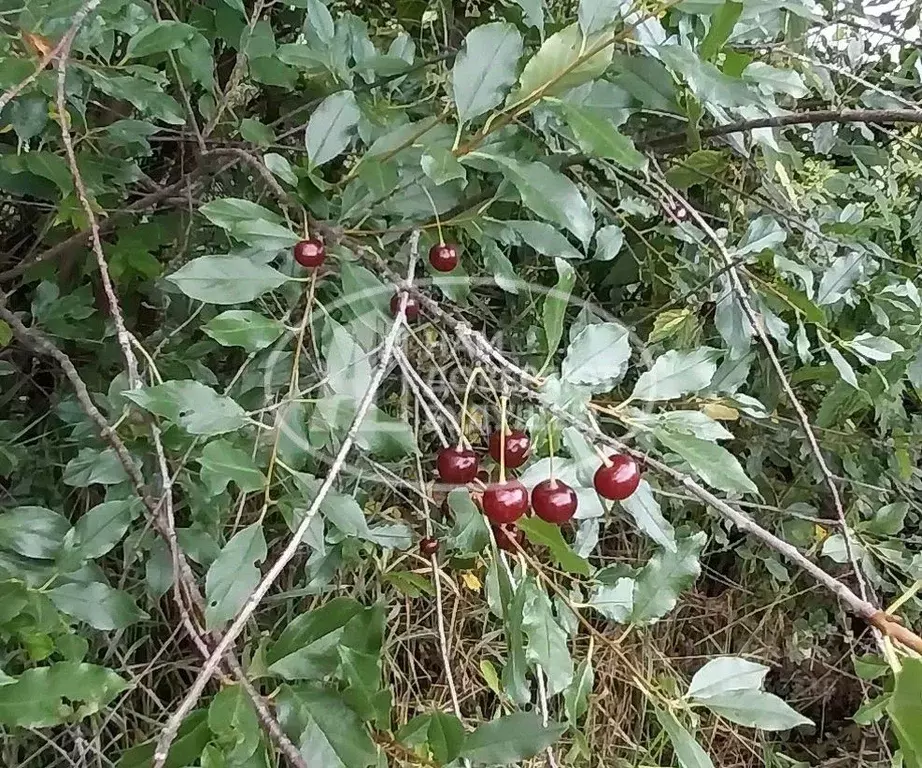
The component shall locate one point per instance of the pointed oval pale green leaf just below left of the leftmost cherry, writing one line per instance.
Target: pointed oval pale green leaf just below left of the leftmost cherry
(226, 279)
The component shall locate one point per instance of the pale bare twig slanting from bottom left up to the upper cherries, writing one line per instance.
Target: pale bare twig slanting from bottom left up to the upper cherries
(255, 598)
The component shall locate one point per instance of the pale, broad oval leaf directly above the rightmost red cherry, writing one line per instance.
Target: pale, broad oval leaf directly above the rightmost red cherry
(598, 357)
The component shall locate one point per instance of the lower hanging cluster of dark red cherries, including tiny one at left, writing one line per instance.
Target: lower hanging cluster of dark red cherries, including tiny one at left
(506, 501)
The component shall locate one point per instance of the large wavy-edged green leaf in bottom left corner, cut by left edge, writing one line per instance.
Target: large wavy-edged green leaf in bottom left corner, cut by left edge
(63, 692)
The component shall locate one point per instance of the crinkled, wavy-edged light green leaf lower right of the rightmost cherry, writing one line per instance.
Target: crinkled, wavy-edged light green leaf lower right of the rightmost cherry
(664, 576)
